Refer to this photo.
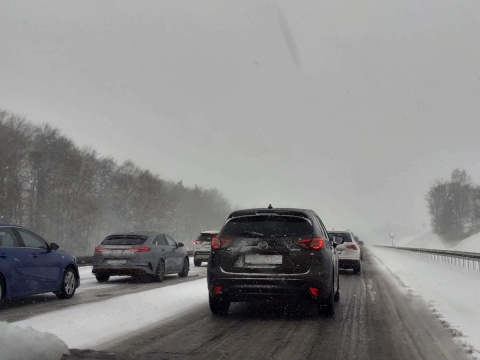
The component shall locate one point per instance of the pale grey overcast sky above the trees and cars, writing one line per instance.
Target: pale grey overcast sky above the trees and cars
(352, 108)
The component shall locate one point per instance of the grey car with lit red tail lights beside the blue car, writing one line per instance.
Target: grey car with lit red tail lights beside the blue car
(138, 254)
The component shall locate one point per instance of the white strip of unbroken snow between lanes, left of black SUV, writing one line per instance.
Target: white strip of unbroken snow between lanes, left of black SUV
(89, 325)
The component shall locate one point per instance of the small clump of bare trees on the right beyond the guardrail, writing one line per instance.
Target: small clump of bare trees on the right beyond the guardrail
(454, 207)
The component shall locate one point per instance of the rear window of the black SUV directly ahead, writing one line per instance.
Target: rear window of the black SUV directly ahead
(267, 226)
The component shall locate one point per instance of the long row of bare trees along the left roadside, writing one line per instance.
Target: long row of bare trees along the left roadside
(75, 197)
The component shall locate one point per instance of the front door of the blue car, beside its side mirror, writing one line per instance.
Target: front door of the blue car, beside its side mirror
(43, 266)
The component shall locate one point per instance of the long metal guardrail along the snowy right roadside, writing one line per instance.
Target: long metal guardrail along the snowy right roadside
(469, 260)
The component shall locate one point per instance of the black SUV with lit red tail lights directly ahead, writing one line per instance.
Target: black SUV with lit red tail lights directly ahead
(272, 255)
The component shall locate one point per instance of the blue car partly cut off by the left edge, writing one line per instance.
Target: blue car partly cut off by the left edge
(30, 265)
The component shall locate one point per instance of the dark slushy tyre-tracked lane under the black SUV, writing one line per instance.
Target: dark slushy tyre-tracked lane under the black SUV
(375, 319)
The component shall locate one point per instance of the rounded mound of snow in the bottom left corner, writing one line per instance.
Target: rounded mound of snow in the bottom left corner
(26, 343)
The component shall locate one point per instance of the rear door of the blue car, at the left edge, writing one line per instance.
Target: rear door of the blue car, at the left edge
(14, 260)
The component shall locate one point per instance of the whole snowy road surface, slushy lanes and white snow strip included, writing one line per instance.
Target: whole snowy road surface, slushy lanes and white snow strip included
(376, 319)
